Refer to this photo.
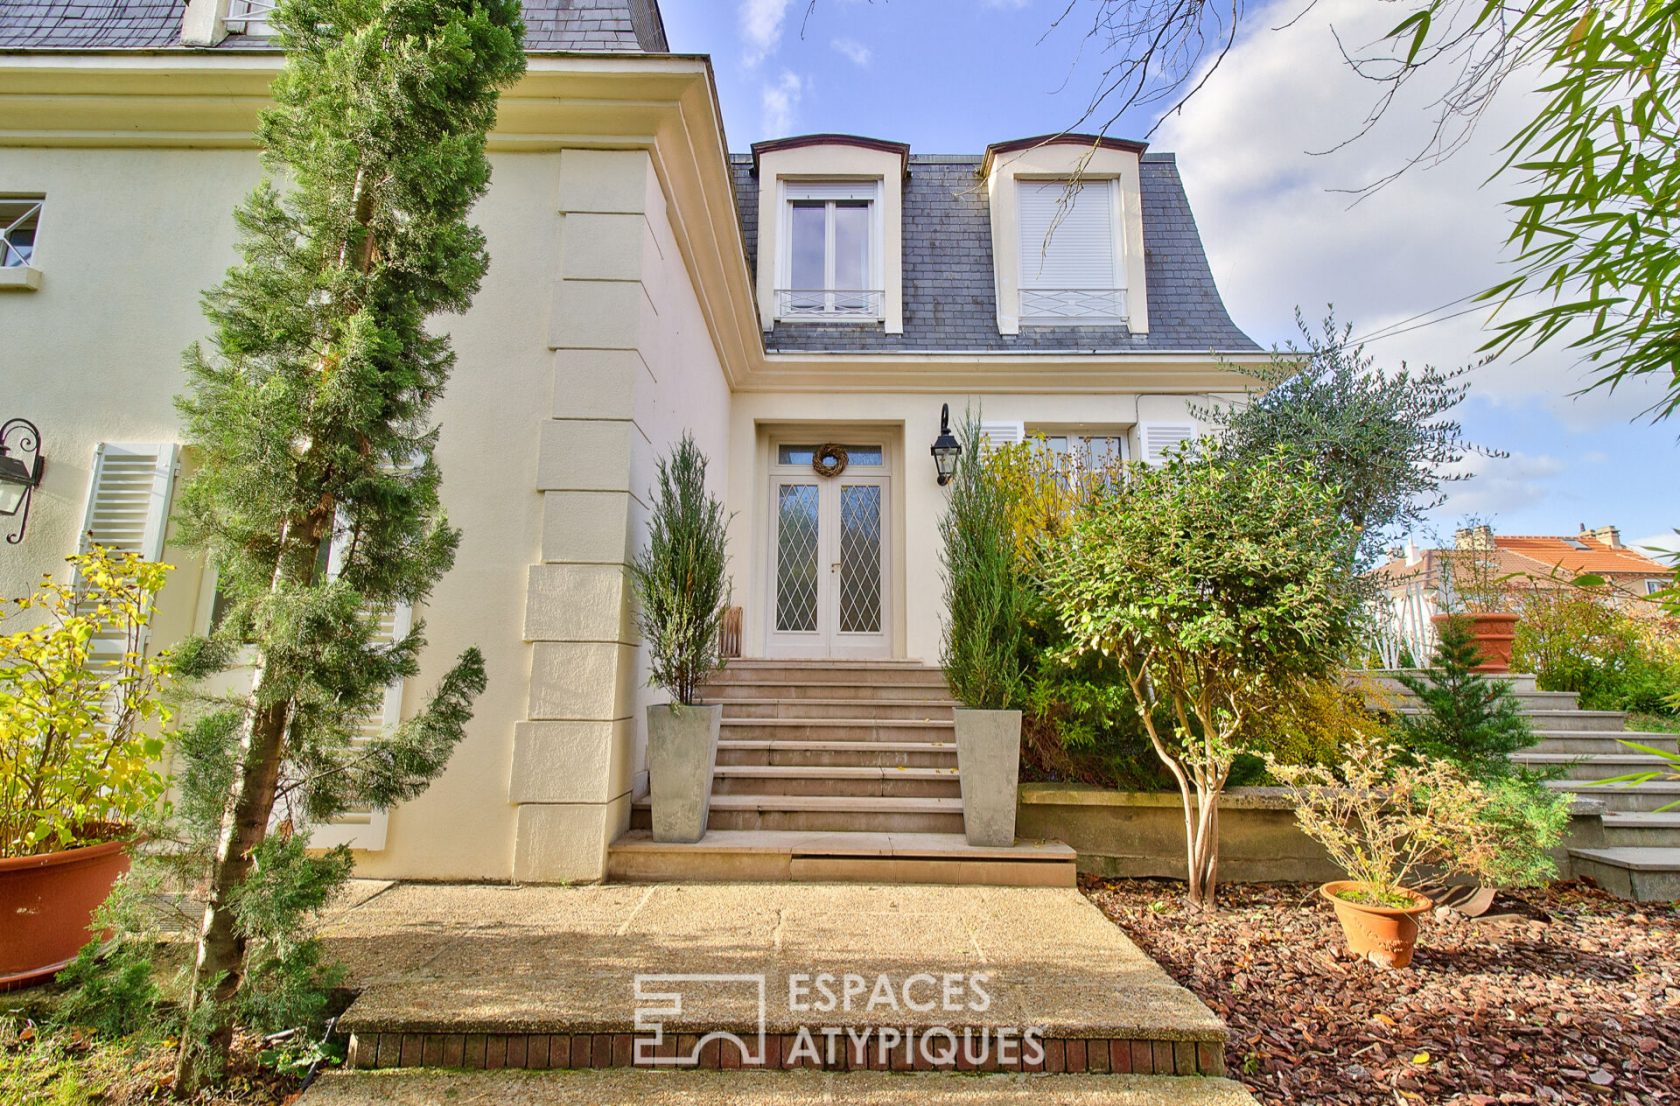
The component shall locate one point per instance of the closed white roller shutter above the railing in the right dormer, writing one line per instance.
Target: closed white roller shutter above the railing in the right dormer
(1073, 246)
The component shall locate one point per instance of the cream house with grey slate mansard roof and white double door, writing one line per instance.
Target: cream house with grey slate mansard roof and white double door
(816, 292)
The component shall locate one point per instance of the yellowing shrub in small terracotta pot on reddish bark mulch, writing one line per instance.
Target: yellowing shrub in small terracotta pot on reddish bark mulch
(1387, 819)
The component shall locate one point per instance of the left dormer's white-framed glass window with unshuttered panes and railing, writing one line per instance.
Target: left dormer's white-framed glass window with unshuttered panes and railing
(831, 266)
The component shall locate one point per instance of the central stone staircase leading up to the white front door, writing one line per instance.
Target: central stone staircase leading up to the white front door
(836, 771)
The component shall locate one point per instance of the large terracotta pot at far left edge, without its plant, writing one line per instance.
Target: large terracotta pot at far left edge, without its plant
(48, 903)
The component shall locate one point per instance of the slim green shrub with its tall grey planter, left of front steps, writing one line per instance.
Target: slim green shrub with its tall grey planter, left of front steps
(683, 596)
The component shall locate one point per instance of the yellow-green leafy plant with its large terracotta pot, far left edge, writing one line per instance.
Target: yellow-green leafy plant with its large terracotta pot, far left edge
(78, 766)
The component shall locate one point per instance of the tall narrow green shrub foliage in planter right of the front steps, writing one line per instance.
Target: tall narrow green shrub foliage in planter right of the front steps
(985, 592)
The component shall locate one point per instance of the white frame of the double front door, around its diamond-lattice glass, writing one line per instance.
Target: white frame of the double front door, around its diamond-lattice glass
(827, 640)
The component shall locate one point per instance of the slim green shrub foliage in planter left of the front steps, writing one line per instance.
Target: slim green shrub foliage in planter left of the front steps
(681, 576)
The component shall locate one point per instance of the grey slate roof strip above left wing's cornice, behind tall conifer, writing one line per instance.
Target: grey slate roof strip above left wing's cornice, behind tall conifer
(614, 26)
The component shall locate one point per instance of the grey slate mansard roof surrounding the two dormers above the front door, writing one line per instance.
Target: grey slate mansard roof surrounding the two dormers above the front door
(950, 298)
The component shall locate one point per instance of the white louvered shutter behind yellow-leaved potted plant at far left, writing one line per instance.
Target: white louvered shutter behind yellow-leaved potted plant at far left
(129, 510)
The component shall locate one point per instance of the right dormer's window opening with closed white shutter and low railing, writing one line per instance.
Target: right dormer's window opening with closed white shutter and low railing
(1071, 265)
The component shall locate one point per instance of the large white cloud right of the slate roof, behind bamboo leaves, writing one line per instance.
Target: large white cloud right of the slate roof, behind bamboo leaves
(1279, 234)
